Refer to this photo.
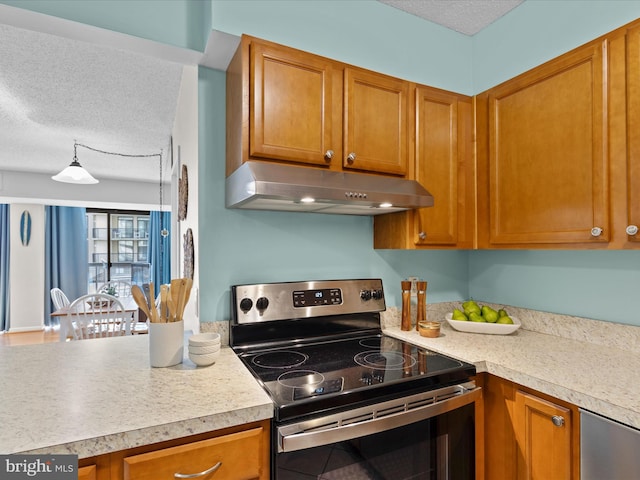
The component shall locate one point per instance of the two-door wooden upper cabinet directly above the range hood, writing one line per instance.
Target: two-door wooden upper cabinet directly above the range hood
(286, 105)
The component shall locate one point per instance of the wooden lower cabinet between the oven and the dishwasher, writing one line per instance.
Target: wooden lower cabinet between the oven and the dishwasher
(527, 434)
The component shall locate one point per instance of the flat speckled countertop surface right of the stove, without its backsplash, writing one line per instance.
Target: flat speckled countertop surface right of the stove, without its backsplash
(595, 377)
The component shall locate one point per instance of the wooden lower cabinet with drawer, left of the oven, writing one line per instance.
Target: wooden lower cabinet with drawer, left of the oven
(241, 452)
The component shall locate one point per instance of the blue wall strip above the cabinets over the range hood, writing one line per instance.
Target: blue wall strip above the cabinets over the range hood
(365, 33)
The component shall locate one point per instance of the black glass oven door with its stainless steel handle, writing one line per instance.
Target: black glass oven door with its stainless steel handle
(425, 436)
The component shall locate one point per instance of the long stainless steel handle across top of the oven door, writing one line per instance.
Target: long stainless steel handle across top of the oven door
(375, 418)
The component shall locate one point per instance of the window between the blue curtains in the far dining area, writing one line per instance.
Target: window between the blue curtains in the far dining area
(118, 244)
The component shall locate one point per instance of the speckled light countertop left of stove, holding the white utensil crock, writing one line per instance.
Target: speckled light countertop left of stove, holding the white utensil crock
(98, 396)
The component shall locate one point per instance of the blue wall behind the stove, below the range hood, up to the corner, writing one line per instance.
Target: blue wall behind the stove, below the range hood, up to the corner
(240, 246)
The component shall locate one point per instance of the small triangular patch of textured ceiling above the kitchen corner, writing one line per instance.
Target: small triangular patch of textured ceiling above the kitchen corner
(464, 16)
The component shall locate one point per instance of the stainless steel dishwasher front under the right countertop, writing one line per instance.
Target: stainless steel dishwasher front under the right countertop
(608, 449)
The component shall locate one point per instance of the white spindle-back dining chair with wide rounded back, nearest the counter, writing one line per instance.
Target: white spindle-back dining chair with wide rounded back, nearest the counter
(99, 315)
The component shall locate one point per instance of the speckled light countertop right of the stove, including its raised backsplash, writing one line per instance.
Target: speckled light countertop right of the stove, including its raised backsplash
(592, 364)
